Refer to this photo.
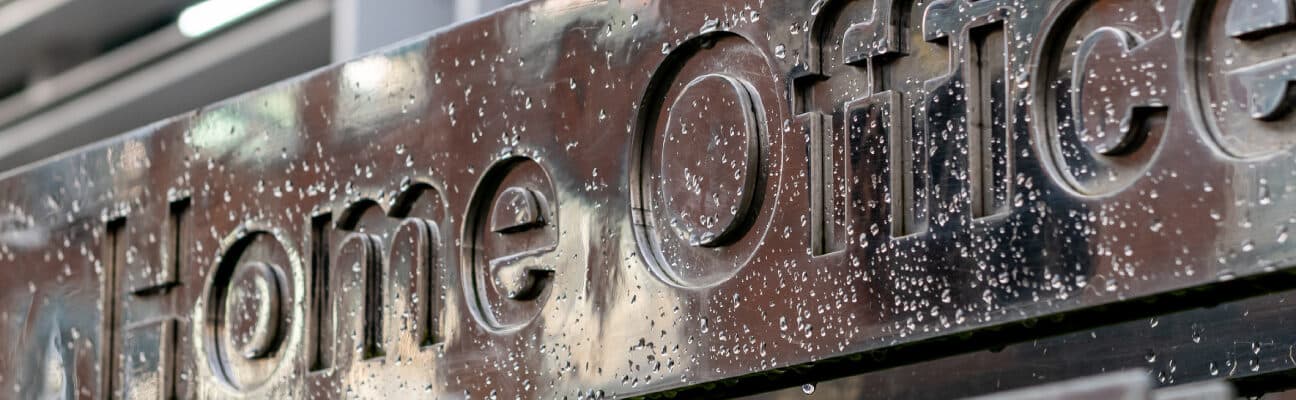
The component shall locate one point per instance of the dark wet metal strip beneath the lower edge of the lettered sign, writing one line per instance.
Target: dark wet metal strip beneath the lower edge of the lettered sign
(1246, 342)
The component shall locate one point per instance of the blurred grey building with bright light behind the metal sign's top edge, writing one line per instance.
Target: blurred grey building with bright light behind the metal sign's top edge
(77, 72)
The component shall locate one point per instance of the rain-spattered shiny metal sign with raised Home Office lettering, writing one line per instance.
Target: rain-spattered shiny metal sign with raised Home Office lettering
(606, 200)
